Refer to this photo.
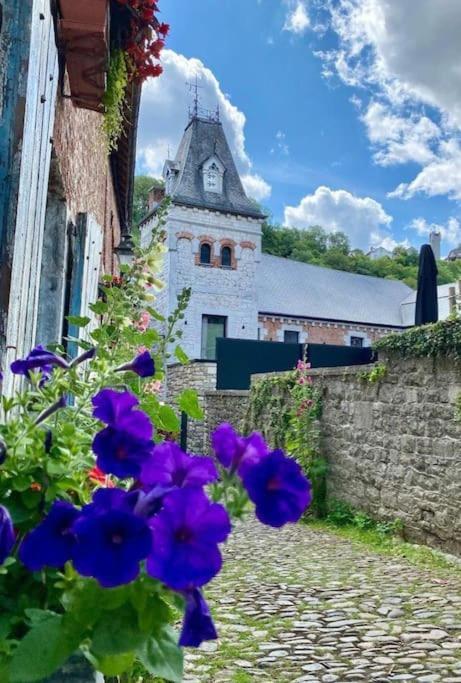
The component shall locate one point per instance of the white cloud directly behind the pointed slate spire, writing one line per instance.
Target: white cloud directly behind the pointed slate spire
(163, 117)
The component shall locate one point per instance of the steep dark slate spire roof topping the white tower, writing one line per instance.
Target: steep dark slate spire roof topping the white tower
(202, 139)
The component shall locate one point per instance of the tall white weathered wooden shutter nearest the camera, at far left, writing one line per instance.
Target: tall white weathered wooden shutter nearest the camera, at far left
(42, 82)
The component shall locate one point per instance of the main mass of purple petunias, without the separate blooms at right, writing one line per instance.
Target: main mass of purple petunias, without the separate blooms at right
(166, 520)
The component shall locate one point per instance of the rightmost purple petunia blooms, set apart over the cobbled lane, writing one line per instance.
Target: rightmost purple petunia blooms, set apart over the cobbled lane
(274, 482)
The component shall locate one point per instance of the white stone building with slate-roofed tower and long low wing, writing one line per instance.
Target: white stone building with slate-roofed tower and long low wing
(214, 247)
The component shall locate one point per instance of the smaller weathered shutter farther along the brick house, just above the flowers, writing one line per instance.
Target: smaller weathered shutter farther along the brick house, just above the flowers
(86, 246)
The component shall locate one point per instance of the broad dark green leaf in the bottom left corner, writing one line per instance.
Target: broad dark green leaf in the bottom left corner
(43, 650)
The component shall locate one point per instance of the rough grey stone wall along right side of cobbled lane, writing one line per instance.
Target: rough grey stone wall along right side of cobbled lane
(394, 447)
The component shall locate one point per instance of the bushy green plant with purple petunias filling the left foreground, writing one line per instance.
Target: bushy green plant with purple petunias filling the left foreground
(108, 531)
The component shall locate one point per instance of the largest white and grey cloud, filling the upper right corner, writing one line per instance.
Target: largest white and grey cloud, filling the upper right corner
(406, 54)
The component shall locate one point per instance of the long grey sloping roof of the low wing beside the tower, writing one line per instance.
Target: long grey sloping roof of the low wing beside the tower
(291, 288)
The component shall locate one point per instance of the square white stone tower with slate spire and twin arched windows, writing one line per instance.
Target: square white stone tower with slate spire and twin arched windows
(213, 238)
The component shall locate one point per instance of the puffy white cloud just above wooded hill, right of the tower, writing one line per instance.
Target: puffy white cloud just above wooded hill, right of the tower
(363, 219)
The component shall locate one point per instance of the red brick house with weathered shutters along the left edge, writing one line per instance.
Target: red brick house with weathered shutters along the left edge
(65, 201)
